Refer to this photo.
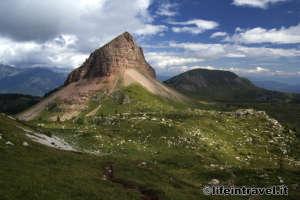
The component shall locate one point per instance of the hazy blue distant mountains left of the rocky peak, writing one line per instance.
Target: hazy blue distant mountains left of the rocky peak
(30, 81)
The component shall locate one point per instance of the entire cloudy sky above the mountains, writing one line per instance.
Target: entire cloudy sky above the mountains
(254, 38)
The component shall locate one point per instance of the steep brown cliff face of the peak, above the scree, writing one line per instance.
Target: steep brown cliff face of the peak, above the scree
(116, 56)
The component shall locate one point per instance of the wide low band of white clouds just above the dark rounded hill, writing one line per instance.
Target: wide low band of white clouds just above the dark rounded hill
(187, 56)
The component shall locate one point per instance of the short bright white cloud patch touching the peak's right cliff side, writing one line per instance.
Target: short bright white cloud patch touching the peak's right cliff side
(163, 59)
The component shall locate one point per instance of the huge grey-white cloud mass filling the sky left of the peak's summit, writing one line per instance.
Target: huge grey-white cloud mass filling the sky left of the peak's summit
(27, 28)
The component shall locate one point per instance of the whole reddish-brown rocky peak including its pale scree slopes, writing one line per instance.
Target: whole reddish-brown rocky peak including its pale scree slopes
(117, 64)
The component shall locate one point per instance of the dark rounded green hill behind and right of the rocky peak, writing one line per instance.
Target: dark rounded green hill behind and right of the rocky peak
(223, 86)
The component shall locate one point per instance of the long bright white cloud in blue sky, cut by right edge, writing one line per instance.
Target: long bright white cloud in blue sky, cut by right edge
(290, 35)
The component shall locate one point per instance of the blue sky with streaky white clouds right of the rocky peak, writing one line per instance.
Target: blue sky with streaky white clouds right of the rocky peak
(238, 27)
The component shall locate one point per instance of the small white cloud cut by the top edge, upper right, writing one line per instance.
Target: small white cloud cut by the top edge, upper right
(256, 3)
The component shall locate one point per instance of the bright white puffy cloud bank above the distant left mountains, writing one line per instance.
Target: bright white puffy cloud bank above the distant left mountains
(59, 52)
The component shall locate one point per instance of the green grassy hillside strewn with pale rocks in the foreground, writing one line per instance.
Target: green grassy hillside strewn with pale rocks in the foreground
(136, 145)
